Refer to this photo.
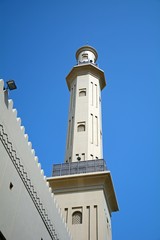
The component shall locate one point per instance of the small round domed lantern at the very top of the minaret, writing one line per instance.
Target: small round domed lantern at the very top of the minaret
(86, 54)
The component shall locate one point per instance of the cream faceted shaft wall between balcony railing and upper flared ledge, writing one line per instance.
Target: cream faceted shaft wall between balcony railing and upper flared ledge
(87, 110)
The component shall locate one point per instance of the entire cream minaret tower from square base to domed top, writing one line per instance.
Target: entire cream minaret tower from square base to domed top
(82, 185)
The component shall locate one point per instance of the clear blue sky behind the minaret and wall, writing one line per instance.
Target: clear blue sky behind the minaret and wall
(38, 42)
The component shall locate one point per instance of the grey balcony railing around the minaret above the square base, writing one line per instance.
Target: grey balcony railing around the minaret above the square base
(89, 166)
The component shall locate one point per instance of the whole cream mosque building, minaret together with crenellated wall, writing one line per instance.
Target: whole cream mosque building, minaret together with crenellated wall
(77, 201)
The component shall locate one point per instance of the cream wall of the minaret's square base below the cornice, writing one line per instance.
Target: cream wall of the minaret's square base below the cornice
(96, 222)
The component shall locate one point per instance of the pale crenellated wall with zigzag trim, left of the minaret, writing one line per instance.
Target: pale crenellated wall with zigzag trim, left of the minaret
(28, 209)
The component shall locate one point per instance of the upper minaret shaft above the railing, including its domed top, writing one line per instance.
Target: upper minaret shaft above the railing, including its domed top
(85, 82)
